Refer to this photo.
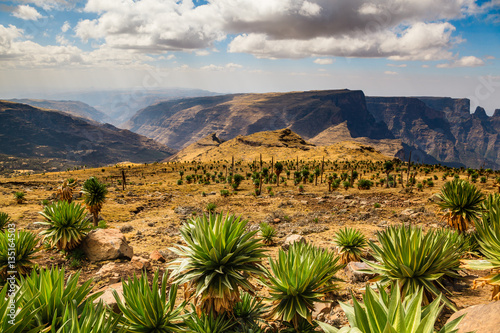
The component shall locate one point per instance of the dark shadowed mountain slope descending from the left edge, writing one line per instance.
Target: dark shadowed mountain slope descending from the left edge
(30, 132)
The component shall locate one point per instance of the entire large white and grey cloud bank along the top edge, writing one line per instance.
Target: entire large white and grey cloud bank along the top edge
(417, 30)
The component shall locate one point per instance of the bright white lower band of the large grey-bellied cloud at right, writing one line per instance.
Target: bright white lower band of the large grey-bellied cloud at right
(417, 42)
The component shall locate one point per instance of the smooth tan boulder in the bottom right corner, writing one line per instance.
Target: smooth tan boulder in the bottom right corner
(479, 318)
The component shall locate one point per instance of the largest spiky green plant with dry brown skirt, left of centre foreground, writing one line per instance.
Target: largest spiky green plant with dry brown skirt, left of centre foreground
(217, 262)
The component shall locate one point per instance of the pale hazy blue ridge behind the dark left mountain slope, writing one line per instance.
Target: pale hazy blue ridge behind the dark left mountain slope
(75, 108)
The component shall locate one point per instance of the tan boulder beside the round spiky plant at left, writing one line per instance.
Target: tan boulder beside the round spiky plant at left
(106, 244)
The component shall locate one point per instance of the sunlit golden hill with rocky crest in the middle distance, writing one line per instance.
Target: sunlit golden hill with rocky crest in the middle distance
(282, 144)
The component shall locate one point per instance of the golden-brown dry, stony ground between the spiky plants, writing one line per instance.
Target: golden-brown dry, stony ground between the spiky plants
(152, 207)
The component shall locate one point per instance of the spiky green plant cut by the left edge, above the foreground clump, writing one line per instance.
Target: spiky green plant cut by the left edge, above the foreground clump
(25, 249)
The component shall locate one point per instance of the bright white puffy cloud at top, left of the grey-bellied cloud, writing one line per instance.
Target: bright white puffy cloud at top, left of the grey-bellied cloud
(152, 26)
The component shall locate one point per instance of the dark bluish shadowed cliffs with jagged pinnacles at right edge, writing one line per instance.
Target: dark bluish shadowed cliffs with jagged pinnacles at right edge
(442, 127)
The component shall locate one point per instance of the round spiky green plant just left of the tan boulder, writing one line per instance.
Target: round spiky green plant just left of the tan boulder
(67, 225)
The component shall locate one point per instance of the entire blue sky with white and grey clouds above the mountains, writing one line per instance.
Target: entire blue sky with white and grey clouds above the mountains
(384, 47)
